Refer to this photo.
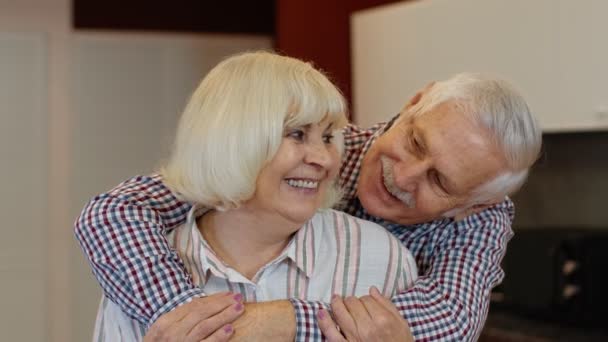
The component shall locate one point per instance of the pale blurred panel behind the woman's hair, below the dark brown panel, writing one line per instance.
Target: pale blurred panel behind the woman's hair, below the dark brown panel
(128, 92)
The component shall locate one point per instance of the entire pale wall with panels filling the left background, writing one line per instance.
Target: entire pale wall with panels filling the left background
(79, 112)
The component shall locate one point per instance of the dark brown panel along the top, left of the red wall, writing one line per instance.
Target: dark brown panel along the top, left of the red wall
(230, 16)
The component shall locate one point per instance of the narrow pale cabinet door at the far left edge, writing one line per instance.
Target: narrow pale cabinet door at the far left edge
(23, 209)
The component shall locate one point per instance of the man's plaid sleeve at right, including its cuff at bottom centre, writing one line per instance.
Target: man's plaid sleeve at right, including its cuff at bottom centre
(450, 301)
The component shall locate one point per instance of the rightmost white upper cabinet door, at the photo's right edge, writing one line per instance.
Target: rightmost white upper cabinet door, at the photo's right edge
(582, 55)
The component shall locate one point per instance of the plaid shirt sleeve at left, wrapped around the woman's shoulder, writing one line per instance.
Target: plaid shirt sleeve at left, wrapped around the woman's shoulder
(122, 234)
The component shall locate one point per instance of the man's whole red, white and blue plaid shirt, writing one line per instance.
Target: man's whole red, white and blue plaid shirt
(122, 233)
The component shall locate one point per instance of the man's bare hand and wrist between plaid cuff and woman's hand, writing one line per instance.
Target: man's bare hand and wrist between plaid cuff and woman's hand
(266, 321)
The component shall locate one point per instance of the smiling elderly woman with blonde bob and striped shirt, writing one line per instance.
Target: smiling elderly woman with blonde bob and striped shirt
(257, 150)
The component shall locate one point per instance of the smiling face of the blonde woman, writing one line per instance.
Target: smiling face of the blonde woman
(294, 183)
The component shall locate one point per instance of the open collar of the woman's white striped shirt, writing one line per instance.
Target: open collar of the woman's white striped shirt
(300, 251)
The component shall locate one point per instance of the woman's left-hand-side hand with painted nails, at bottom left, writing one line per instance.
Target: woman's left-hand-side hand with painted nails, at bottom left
(203, 319)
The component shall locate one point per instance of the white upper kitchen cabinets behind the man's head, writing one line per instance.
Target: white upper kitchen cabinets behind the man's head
(553, 51)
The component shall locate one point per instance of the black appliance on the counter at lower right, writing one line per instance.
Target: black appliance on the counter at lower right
(558, 275)
